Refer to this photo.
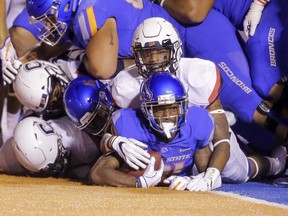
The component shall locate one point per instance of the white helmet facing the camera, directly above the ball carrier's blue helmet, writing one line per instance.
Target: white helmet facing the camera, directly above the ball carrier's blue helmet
(156, 34)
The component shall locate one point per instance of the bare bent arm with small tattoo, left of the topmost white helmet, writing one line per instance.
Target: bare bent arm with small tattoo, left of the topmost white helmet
(102, 51)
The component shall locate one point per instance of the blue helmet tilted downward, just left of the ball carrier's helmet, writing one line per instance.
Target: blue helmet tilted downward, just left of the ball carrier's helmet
(88, 103)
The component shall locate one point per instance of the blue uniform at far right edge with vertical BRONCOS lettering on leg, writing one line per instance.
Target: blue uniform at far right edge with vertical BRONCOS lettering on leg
(266, 49)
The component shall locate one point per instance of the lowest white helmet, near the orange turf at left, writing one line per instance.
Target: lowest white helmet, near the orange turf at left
(38, 148)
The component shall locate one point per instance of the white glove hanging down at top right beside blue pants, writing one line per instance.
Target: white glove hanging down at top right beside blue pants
(253, 17)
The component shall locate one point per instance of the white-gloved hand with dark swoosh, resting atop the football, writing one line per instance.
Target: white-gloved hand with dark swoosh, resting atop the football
(132, 151)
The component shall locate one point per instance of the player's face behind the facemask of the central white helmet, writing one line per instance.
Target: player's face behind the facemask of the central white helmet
(156, 59)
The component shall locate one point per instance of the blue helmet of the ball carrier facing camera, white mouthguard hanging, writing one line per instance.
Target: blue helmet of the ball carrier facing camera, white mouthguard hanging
(162, 91)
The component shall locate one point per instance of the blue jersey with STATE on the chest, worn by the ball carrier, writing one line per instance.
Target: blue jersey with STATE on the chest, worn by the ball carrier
(177, 154)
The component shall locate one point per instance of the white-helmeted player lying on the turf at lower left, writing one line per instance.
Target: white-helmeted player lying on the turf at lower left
(48, 148)
